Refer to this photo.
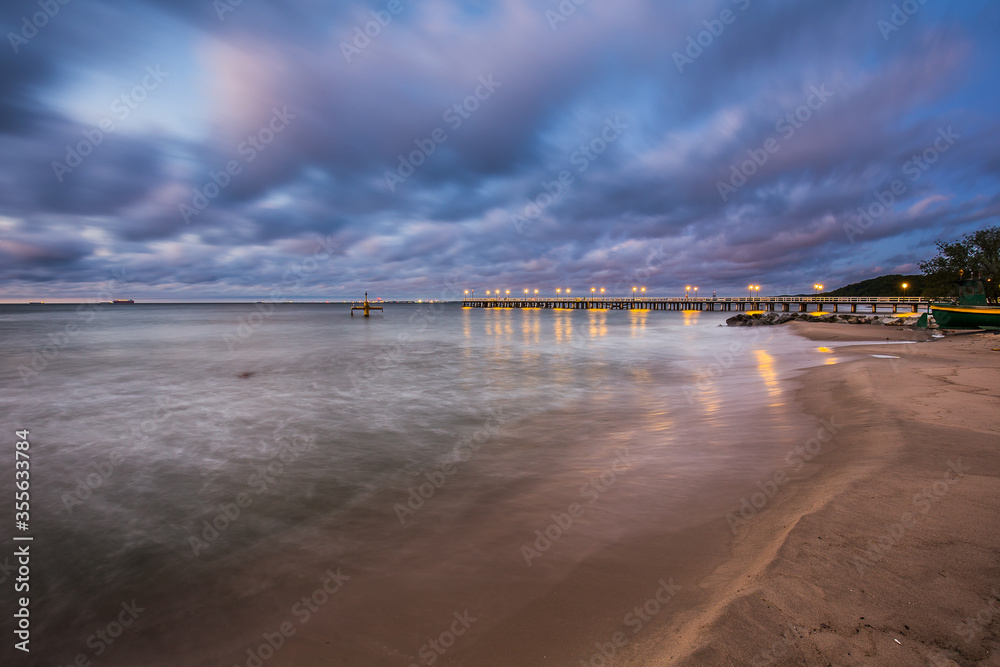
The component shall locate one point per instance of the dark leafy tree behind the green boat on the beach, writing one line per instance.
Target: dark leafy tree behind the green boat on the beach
(976, 255)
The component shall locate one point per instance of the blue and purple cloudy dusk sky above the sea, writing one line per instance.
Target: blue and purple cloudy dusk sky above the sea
(245, 149)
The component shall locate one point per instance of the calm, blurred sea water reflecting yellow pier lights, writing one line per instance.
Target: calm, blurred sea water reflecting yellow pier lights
(148, 423)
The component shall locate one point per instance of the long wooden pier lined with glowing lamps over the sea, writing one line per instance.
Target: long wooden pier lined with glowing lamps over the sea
(801, 304)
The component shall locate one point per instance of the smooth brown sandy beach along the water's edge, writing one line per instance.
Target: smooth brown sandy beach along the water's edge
(883, 548)
